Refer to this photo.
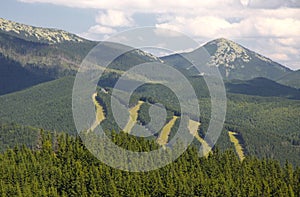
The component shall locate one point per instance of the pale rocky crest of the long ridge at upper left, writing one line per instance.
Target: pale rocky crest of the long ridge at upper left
(37, 34)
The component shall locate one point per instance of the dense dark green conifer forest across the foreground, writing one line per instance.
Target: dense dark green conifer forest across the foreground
(61, 166)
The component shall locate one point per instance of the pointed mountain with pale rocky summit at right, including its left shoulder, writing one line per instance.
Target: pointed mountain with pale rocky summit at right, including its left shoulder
(233, 60)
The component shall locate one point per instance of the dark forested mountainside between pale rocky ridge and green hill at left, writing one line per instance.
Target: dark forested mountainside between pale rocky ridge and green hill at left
(25, 63)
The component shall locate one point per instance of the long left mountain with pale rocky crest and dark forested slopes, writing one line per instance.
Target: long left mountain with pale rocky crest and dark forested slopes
(31, 55)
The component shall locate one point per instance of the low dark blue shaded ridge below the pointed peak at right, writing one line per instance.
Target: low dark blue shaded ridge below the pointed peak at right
(262, 87)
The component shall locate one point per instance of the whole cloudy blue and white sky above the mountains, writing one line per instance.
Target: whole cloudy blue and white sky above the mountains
(269, 27)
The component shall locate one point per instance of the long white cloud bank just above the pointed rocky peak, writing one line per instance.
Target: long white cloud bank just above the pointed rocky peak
(213, 27)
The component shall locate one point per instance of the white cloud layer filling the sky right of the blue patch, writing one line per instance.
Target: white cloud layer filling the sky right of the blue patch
(271, 27)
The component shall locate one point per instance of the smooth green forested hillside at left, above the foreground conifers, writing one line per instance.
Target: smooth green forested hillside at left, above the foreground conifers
(47, 106)
